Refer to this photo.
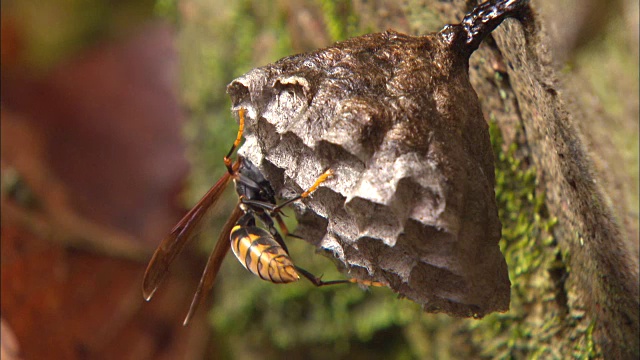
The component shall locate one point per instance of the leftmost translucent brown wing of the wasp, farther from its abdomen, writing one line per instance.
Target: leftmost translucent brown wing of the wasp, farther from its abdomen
(173, 244)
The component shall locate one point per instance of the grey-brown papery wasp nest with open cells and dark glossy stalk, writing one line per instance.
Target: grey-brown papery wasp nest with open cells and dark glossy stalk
(397, 119)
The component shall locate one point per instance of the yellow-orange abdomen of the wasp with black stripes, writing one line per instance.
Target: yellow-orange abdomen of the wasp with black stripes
(259, 252)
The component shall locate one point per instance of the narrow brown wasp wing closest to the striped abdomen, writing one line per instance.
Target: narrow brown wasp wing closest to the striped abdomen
(214, 263)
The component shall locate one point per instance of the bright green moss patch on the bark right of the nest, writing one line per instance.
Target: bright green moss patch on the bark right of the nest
(540, 317)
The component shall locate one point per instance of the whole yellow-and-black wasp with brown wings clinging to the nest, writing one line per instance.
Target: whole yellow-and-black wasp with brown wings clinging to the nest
(261, 251)
